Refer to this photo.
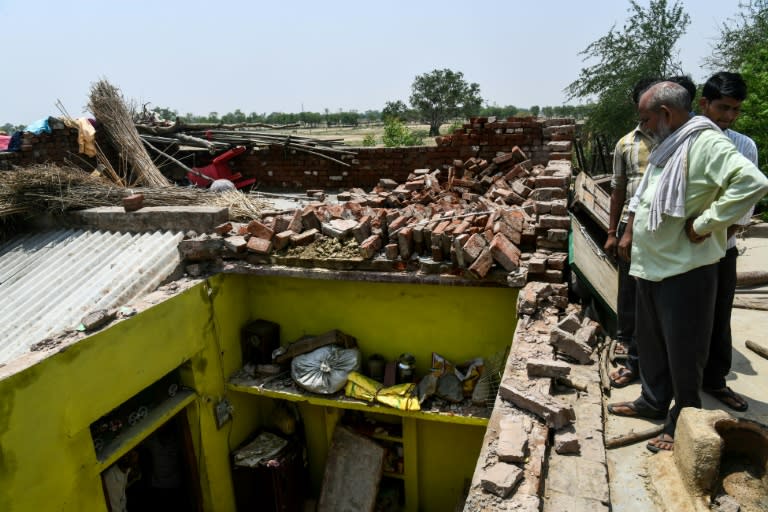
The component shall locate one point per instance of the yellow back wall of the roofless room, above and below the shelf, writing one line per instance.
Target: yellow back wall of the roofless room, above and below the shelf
(459, 323)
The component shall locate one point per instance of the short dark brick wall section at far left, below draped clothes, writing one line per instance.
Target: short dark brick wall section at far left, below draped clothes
(55, 147)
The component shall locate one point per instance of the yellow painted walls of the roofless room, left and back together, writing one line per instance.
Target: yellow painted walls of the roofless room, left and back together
(47, 459)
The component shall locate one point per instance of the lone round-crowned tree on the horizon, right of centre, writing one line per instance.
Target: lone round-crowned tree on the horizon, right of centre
(444, 94)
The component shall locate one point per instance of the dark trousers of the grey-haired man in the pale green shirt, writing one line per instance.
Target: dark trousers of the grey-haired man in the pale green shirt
(674, 328)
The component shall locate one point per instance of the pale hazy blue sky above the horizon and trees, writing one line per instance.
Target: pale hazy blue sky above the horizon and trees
(268, 56)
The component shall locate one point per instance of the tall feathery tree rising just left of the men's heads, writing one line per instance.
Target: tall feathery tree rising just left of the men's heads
(644, 47)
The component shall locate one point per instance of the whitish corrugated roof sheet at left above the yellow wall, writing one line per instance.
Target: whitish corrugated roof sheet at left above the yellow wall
(49, 281)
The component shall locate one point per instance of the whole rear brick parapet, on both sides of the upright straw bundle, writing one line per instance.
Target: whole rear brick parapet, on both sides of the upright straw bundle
(277, 168)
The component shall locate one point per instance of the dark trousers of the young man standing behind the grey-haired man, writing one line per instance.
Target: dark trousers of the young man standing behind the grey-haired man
(720, 348)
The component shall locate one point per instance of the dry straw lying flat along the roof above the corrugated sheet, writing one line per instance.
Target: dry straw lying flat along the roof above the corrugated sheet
(48, 187)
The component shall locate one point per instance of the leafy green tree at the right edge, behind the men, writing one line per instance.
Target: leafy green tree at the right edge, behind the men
(742, 47)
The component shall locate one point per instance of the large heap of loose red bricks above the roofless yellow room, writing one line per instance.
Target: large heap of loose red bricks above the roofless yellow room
(481, 215)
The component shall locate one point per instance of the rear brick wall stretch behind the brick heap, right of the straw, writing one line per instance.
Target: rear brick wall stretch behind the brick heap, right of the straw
(484, 138)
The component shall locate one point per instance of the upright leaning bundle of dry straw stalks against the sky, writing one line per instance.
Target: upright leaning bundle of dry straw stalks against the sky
(108, 108)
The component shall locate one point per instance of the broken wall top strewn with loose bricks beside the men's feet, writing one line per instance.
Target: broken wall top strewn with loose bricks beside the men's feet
(552, 435)
